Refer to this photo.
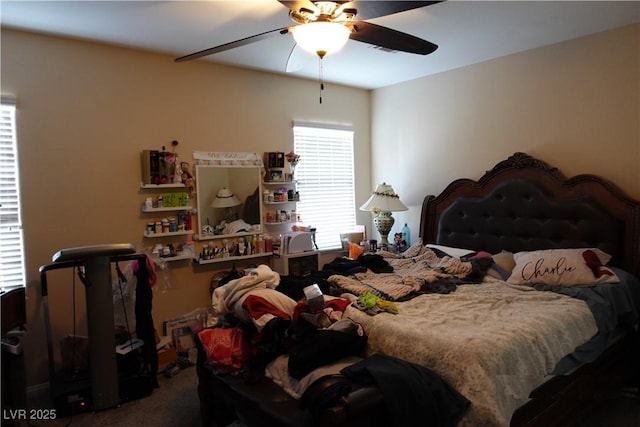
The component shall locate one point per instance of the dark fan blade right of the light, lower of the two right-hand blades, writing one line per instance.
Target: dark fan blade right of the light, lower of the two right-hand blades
(387, 38)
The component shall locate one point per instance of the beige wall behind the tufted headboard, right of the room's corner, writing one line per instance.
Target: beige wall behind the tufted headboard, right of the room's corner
(575, 105)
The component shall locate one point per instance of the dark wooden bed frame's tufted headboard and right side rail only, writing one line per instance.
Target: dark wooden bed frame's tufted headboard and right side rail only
(524, 204)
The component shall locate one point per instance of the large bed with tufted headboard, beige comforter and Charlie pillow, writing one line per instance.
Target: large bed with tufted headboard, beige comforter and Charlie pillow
(534, 352)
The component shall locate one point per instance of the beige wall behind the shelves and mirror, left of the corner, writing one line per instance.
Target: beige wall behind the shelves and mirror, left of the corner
(86, 111)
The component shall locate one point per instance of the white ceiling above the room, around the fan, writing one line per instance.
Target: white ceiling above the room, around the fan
(467, 32)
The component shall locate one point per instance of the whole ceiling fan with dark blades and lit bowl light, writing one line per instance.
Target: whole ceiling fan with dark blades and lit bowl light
(323, 27)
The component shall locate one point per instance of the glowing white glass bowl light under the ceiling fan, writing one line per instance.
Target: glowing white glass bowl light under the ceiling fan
(321, 38)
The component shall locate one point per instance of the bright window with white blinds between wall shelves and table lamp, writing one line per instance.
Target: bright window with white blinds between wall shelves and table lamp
(325, 178)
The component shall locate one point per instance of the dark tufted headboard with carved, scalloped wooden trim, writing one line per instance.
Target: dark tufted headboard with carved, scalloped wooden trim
(523, 204)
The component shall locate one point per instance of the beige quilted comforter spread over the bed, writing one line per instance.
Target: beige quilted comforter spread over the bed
(492, 342)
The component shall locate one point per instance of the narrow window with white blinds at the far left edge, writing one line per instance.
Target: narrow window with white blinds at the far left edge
(11, 244)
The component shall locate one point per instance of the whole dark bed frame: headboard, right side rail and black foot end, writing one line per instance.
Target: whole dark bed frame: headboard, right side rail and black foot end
(520, 204)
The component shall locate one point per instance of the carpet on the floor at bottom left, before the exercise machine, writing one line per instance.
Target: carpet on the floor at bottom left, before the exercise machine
(174, 403)
